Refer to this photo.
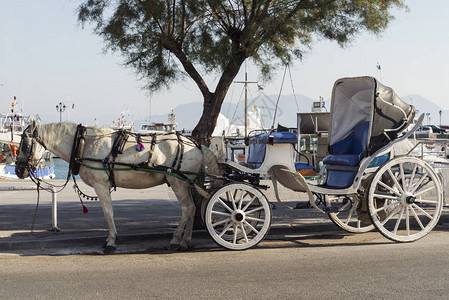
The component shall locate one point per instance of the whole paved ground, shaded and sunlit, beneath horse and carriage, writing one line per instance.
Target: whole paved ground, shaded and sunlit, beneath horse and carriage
(304, 256)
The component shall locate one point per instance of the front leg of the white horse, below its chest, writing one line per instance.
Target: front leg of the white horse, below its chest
(104, 194)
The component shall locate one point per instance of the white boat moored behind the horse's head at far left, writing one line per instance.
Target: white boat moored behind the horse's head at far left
(12, 125)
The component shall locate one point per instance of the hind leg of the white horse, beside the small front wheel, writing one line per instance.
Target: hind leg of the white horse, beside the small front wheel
(183, 233)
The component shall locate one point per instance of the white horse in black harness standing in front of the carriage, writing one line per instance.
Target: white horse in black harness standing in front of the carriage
(166, 153)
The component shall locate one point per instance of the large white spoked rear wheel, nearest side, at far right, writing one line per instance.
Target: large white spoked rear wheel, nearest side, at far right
(405, 199)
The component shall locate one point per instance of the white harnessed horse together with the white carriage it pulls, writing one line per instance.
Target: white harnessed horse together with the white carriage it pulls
(367, 174)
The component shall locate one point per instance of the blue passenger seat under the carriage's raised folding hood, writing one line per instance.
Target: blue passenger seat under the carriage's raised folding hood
(342, 165)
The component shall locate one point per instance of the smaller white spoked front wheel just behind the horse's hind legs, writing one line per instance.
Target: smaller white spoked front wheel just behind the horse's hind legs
(238, 216)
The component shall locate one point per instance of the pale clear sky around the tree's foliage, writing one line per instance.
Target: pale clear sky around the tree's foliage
(46, 57)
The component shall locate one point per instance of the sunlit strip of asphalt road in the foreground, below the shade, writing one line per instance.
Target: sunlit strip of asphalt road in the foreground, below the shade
(330, 266)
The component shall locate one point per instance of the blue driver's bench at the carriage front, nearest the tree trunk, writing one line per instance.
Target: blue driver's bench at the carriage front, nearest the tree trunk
(257, 146)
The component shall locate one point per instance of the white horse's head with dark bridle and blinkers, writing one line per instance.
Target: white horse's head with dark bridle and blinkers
(30, 152)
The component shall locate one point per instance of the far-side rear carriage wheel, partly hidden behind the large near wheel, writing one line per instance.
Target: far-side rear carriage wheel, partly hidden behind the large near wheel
(346, 216)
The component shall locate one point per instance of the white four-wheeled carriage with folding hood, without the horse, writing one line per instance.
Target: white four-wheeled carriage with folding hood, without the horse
(367, 174)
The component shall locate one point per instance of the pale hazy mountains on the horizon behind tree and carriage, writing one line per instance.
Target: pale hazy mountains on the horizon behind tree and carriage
(187, 115)
